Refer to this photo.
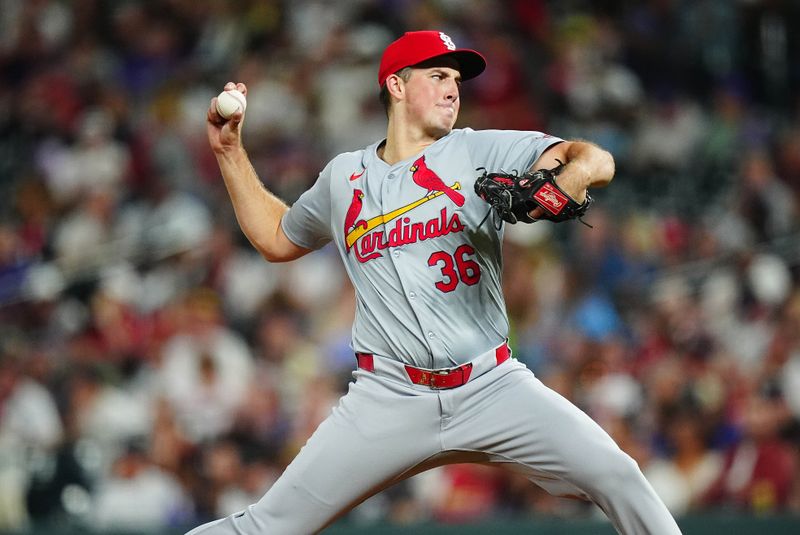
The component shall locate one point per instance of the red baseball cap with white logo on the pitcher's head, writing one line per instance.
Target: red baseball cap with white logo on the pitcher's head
(416, 47)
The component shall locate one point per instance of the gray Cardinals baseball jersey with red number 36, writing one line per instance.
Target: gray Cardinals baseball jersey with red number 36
(426, 271)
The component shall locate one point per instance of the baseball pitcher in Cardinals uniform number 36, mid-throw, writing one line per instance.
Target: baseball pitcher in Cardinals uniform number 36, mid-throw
(418, 221)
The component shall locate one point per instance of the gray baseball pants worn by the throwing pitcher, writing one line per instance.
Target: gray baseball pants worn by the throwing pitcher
(386, 429)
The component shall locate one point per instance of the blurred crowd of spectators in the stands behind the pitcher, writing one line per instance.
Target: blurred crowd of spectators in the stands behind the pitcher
(149, 356)
